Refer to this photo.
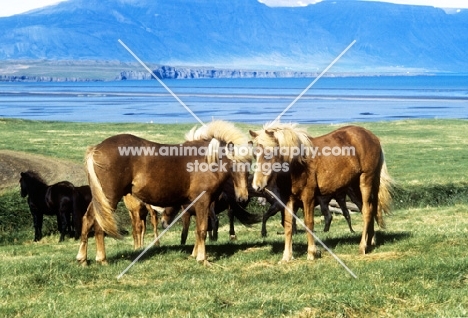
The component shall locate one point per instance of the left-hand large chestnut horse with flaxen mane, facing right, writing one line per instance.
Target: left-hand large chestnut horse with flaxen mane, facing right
(164, 175)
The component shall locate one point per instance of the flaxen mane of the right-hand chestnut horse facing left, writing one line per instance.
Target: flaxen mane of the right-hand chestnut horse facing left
(284, 136)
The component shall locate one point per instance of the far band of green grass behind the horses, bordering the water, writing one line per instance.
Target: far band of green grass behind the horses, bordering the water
(427, 158)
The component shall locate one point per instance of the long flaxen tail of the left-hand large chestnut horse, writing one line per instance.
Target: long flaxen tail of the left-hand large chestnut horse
(103, 211)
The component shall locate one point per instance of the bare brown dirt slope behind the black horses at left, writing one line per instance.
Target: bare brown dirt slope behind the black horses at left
(12, 163)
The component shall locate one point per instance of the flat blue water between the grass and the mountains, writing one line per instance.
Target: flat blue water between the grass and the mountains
(330, 100)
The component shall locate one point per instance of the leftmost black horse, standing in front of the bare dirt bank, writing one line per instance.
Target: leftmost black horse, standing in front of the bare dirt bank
(43, 199)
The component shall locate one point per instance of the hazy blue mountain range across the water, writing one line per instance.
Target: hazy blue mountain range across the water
(243, 34)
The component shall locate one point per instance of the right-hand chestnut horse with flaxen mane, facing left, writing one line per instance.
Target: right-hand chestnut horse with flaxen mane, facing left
(324, 165)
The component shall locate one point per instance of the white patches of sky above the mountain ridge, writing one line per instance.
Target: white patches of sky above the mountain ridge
(11, 7)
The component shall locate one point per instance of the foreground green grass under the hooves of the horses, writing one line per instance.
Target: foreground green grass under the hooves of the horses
(418, 270)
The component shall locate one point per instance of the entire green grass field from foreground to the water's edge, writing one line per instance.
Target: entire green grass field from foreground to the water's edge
(419, 268)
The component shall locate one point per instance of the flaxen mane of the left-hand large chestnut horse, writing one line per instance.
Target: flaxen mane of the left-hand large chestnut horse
(221, 131)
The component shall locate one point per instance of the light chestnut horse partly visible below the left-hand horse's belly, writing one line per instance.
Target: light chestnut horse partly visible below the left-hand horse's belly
(138, 211)
